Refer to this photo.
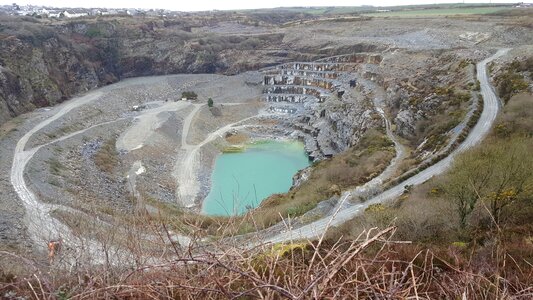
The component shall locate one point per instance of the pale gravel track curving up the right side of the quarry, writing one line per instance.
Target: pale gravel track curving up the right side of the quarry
(478, 133)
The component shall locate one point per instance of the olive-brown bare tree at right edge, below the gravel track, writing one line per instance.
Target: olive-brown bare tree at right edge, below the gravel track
(498, 174)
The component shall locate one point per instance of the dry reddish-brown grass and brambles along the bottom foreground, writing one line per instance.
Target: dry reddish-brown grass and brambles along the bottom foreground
(373, 265)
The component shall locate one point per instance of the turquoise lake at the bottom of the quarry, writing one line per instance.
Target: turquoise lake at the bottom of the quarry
(242, 180)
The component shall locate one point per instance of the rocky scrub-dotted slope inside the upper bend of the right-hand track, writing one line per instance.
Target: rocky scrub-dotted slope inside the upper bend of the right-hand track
(425, 89)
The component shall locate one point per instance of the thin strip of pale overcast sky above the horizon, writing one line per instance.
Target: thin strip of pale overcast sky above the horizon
(195, 5)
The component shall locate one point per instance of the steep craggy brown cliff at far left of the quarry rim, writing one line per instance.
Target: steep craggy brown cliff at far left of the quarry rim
(43, 68)
